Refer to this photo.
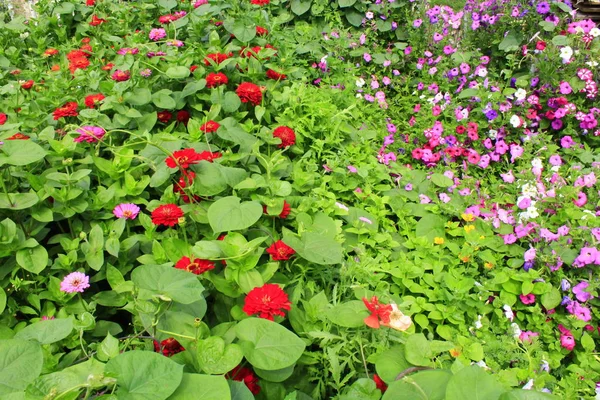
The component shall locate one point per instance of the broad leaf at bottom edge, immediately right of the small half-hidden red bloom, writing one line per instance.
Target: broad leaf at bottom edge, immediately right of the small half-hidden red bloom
(424, 385)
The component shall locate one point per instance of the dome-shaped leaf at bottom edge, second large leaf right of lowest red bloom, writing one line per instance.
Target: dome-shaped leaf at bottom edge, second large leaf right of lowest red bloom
(473, 383)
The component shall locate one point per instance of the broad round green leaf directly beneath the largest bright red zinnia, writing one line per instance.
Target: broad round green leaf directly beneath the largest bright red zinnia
(268, 345)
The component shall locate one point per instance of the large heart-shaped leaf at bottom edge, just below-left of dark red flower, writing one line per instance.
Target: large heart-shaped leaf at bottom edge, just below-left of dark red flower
(144, 375)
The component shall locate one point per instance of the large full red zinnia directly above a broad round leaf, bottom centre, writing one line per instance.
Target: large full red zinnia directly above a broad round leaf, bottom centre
(266, 301)
